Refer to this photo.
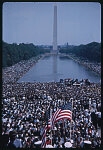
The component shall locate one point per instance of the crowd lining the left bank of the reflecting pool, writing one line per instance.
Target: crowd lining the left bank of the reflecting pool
(15, 72)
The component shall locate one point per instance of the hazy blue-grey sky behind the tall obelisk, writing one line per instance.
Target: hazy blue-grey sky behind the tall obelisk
(29, 22)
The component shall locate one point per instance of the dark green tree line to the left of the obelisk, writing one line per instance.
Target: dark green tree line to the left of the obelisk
(13, 53)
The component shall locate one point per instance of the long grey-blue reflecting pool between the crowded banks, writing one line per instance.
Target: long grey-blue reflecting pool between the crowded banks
(53, 68)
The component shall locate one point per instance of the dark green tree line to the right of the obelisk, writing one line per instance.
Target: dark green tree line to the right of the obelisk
(91, 51)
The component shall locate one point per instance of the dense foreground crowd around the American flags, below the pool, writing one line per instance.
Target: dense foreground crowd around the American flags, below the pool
(25, 106)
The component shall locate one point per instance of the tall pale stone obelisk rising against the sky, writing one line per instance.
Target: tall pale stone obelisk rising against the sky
(55, 29)
